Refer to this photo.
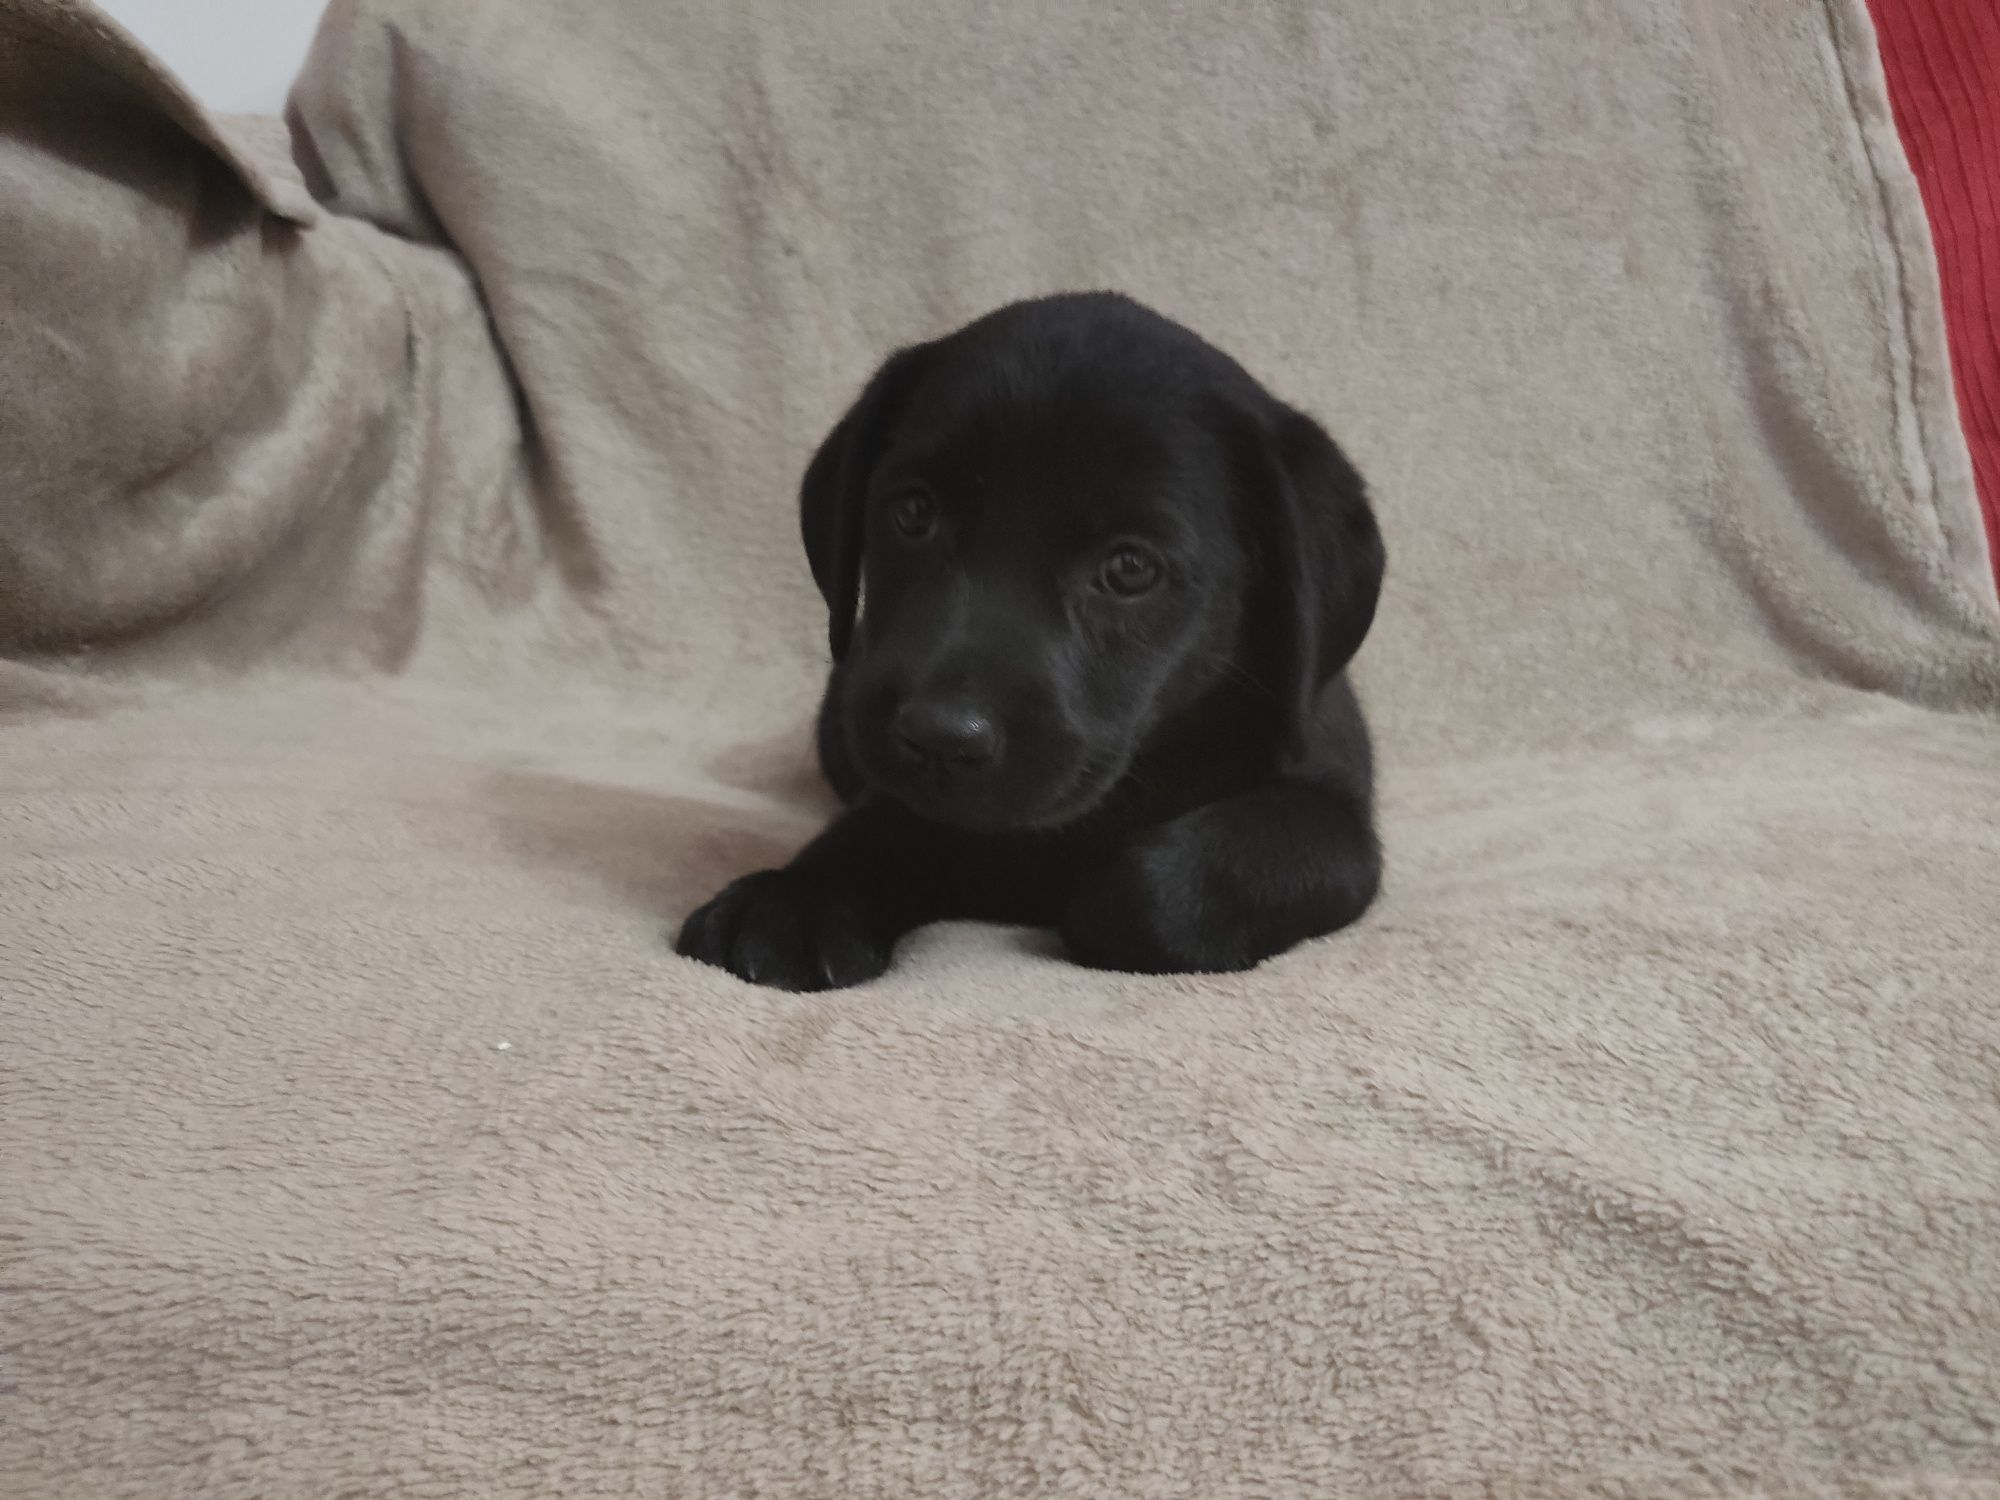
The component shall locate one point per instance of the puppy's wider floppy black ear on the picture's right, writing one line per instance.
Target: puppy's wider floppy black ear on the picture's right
(1321, 557)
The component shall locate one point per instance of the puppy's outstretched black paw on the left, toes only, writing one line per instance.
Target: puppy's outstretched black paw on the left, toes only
(787, 933)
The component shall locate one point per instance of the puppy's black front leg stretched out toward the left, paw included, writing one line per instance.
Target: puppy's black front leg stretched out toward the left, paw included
(833, 915)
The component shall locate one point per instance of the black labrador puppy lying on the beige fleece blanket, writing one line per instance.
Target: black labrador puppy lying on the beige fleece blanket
(1091, 593)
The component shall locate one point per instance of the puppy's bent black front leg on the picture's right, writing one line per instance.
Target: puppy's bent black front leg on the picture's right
(1231, 883)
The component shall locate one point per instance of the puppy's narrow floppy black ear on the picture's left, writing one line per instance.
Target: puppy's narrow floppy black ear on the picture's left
(833, 495)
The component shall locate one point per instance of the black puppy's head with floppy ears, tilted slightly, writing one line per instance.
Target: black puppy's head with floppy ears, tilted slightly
(1049, 535)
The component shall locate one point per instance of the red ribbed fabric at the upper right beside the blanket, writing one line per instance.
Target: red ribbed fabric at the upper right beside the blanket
(1943, 63)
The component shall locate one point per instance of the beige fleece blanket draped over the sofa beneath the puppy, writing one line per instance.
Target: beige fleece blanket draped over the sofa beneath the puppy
(403, 627)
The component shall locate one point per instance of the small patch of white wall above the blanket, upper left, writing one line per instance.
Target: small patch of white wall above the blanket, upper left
(237, 55)
